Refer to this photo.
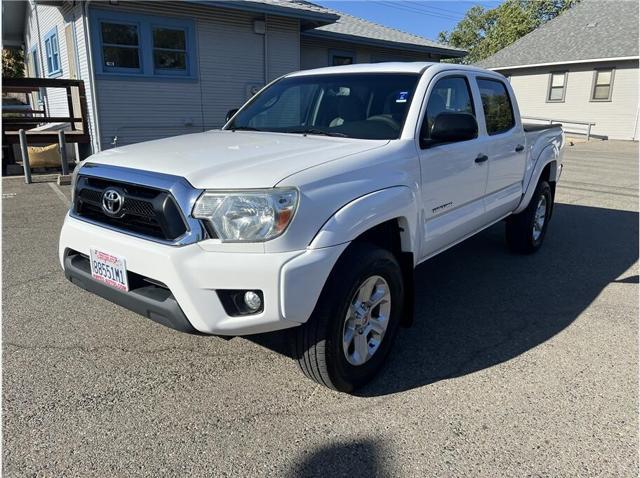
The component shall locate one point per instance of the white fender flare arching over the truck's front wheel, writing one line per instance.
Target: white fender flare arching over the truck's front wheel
(368, 211)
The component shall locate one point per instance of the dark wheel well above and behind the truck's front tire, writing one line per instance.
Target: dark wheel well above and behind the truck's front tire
(393, 235)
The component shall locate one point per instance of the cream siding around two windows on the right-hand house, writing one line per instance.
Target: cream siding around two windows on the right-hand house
(615, 119)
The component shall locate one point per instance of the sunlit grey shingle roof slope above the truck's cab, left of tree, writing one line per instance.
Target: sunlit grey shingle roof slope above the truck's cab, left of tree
(355, 28)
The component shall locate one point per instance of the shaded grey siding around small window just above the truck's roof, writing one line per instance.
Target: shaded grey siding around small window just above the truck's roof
(315, 53)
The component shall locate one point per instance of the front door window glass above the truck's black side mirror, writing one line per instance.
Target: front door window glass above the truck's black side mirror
(450, 95)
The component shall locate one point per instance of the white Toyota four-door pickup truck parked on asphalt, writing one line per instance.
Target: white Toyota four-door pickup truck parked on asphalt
(312, 206)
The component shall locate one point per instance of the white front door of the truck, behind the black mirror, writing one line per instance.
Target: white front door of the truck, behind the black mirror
(453, 180)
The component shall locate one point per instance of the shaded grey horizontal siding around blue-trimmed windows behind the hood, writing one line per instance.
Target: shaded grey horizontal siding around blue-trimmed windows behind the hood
(231, 60)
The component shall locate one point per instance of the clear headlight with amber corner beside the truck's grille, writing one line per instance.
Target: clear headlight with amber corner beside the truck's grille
(250, 216)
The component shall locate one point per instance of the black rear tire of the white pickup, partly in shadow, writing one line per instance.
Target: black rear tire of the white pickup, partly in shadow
(520, 227)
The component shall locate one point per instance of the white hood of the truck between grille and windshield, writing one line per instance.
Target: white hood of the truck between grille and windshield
(226, 159)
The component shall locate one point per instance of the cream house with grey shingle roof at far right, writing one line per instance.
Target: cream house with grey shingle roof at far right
(580, 67)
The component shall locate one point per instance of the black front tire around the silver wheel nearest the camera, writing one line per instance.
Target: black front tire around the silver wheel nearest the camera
(318, 342)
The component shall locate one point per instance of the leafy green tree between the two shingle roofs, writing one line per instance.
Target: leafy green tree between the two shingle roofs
(483, 32)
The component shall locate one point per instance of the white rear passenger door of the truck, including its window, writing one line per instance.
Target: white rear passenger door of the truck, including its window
(505, 147)
